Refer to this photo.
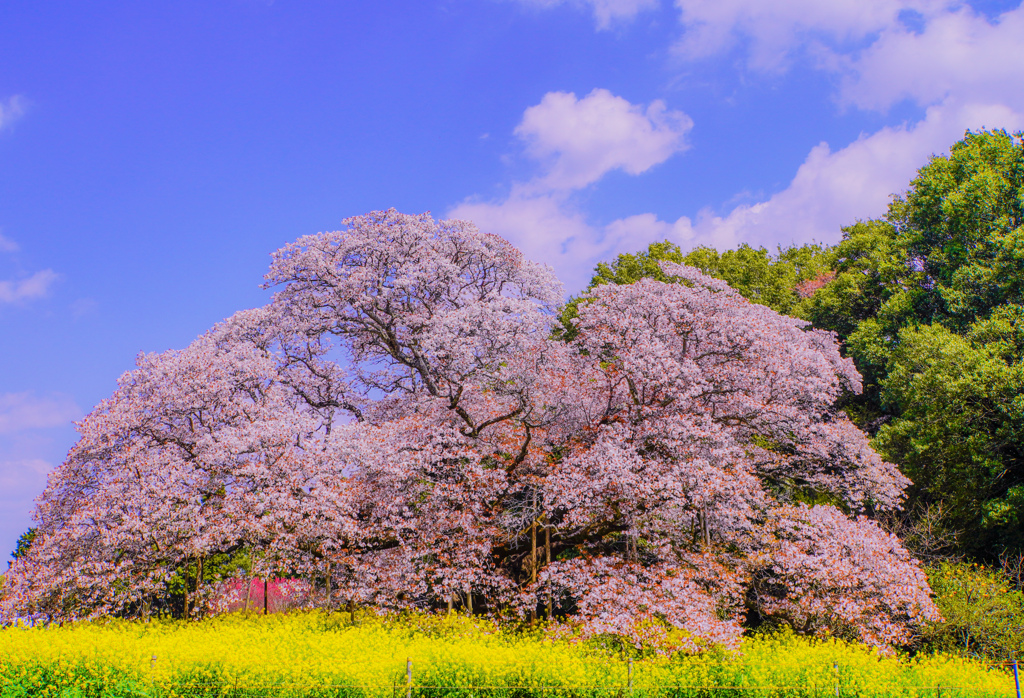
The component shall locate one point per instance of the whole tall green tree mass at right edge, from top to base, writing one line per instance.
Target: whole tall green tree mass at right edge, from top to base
(930, 304)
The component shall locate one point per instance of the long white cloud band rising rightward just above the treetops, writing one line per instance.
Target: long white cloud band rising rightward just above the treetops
(831, 190)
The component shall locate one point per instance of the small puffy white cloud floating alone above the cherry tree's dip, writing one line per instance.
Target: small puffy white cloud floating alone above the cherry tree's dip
(580, 141)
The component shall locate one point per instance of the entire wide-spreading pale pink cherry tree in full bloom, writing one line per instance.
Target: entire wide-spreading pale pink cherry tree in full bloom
(401, 427)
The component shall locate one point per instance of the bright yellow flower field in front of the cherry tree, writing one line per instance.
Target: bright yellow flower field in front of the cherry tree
(314, 656)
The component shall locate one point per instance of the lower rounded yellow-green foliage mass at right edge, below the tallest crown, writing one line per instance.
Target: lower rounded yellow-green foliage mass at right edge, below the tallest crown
(958, 430)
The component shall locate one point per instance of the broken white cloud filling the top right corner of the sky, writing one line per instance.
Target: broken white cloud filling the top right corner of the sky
(946, 50)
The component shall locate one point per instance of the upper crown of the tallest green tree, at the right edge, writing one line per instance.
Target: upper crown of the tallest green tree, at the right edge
(950, 252)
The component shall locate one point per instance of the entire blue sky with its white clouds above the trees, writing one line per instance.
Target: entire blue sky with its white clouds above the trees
(154, 155)
